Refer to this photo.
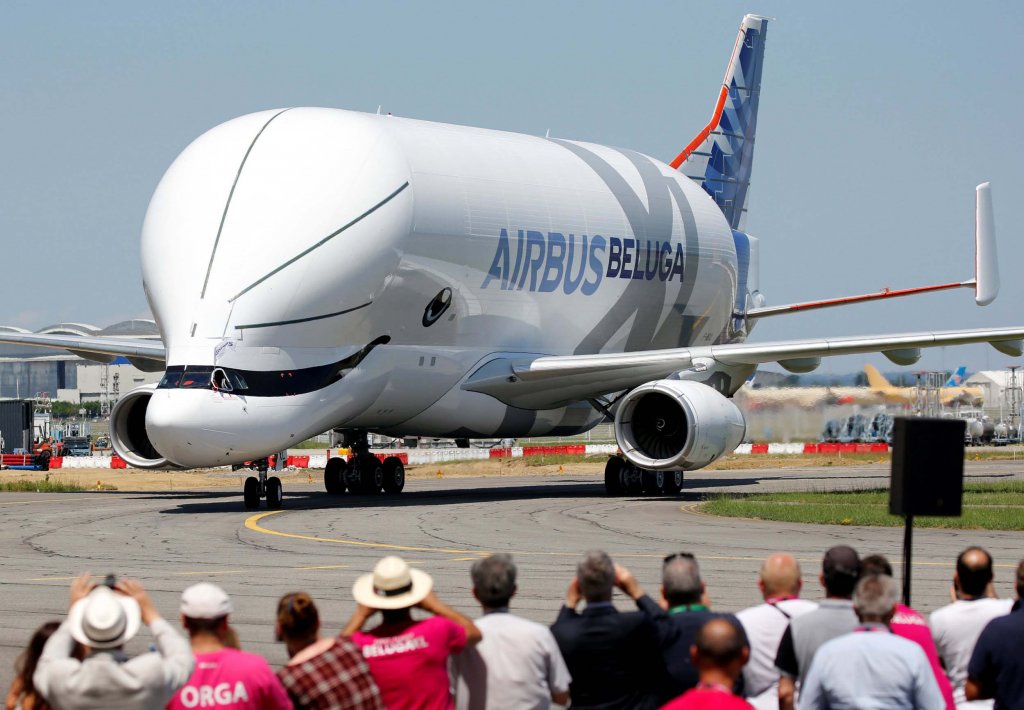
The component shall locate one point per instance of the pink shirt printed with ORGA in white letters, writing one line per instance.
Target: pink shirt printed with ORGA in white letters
(231, 679)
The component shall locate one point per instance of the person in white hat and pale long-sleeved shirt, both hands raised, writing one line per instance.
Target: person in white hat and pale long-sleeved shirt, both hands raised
(103, 619)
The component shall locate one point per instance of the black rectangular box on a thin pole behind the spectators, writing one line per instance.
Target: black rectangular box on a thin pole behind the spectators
(927, 476)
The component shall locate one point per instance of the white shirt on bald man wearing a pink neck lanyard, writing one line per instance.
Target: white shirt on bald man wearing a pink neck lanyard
(764, 627)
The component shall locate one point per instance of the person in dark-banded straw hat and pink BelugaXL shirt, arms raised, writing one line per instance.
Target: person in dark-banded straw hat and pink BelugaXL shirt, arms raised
(408, 658)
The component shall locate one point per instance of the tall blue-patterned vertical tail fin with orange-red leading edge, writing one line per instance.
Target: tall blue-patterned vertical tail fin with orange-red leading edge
(721, 156)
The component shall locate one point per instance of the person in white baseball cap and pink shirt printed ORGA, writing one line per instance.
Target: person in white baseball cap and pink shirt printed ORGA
(225, 678)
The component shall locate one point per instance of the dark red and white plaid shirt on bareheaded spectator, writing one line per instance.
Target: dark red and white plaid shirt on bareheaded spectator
(337, 679)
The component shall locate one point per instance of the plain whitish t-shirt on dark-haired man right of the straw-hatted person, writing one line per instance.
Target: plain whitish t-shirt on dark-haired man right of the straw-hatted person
(518, 665)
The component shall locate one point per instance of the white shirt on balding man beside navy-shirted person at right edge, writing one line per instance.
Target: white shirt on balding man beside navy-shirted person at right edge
(956, 630)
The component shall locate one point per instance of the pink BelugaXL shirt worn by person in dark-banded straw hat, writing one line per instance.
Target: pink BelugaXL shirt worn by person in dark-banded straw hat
(410, 661)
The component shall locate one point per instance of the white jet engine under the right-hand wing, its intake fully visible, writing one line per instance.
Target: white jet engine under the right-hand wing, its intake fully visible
(677, 426)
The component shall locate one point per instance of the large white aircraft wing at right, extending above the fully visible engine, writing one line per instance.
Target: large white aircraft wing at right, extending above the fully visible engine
(548, 382)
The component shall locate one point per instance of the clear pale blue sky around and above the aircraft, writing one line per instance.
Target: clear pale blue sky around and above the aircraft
(877, 121)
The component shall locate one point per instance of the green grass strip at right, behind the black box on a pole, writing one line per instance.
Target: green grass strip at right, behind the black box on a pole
(987, 507)
